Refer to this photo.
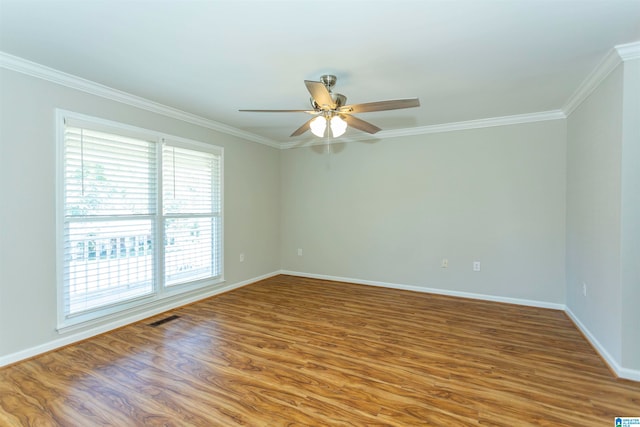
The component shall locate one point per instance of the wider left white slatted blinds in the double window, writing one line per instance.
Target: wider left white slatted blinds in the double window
(109, 205)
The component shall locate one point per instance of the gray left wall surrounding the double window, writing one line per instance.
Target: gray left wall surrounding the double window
(28, 210)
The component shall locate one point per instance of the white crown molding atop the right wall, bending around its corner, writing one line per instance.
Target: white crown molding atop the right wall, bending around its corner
(620, 53)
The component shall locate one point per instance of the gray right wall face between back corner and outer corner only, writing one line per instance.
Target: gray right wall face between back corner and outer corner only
(594, 132)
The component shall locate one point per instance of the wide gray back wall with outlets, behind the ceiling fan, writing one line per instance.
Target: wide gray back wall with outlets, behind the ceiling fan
(391, 210)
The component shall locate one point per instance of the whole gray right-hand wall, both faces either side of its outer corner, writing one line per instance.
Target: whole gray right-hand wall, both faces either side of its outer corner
(603, 215)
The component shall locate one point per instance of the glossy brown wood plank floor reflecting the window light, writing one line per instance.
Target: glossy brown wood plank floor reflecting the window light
(303, 352)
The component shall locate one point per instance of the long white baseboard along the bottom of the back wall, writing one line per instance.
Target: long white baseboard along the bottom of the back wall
(518, 301)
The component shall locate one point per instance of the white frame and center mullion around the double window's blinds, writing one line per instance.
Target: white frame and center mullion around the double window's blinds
(161, 292)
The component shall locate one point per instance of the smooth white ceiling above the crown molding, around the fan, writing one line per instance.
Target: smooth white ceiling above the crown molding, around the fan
(465, 60)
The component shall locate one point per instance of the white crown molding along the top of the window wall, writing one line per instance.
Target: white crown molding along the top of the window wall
(33, 69)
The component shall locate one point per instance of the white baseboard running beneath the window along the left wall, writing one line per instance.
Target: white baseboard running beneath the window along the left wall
(83, 334)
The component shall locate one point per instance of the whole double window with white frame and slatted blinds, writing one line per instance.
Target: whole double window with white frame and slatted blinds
(140, 217)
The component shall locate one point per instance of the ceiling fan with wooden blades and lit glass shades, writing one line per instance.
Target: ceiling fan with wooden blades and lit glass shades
(329, 110)
